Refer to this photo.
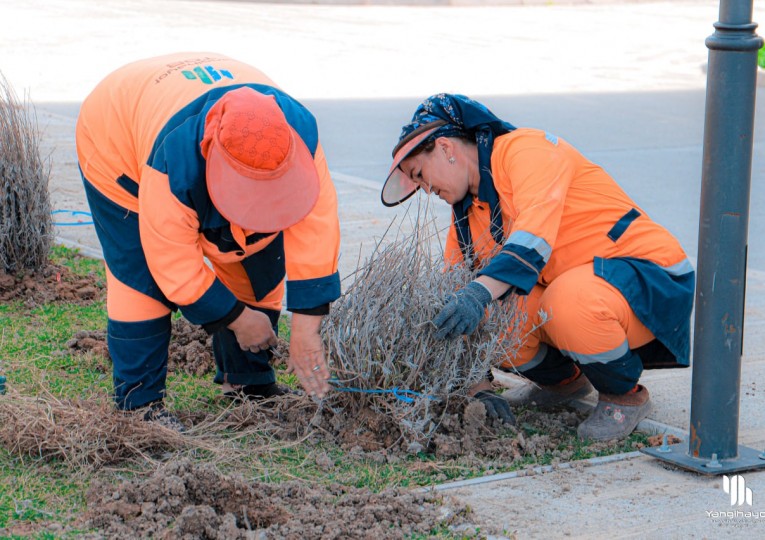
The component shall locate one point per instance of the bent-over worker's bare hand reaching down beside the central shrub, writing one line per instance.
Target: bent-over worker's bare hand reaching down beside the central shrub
(307, 354)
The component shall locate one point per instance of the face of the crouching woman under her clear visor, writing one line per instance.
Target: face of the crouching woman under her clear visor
(433, 172)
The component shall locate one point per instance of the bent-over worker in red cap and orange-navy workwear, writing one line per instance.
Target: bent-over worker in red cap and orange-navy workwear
(193, 157)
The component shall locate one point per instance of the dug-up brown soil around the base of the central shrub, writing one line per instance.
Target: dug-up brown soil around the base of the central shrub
(464, 432)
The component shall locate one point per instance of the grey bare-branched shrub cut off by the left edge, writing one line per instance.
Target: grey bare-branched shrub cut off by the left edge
(25, 219)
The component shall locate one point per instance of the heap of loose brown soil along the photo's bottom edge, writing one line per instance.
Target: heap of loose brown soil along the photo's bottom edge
(185, 500)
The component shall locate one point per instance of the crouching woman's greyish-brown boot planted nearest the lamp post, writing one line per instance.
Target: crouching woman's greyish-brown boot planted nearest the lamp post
(616, 416)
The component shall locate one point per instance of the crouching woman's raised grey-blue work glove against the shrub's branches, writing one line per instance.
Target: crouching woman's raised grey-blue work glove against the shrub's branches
(463, 312)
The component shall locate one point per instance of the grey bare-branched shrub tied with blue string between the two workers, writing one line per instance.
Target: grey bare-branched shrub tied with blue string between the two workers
(380, 337)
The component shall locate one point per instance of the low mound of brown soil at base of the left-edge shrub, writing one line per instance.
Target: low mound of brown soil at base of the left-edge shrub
(54, 283)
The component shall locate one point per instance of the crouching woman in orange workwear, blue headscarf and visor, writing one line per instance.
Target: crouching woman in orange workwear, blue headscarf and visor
(536, 218)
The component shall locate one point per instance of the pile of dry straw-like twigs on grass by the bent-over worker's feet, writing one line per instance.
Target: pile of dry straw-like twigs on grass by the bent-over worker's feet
(90, 433)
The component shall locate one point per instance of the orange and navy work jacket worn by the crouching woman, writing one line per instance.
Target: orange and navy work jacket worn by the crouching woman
(560, 211)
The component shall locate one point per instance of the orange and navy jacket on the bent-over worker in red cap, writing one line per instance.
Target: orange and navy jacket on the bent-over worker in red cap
(138, 144)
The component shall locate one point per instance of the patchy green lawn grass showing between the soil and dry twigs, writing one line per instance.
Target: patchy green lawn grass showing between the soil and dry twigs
(34, 353)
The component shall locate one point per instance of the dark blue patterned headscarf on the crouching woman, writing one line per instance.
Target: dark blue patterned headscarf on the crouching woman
(471, 120)
